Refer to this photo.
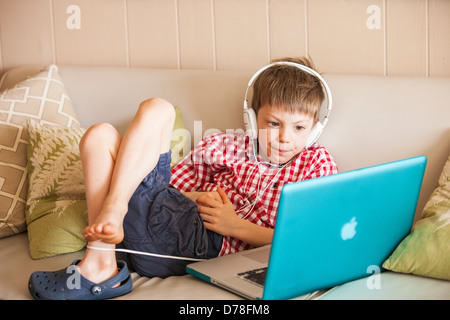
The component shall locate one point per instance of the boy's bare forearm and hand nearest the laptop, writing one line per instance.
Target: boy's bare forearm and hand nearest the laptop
(219, 216)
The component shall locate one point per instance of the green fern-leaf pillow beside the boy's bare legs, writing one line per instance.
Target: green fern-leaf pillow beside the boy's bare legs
(56, 211)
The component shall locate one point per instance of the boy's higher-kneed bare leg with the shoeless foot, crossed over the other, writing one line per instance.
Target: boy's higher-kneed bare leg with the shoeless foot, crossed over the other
(147, 137)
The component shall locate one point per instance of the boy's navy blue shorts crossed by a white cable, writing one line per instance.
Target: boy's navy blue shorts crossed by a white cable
(162, 220)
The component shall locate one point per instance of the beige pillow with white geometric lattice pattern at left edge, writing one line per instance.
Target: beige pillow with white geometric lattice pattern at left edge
(44, 98)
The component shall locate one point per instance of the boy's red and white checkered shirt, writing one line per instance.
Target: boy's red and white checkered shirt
(252, 185)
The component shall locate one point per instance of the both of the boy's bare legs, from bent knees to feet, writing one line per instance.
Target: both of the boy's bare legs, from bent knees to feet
(113, 167)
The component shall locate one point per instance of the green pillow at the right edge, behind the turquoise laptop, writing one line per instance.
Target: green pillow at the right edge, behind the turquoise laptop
(426, 251)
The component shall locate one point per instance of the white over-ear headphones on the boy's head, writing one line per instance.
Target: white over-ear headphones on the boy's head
(250, 116)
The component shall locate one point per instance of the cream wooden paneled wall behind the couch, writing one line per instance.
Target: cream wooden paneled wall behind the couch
(373, 37)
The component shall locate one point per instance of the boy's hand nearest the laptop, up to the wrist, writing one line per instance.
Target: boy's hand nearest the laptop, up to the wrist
(218, 214)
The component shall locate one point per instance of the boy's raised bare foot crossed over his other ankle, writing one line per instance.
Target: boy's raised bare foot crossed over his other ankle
(107, 227)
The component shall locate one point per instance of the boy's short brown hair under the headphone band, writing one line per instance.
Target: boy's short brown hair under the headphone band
(289, 87)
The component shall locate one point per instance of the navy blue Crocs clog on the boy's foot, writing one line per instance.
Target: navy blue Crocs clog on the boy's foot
(66, 284)
